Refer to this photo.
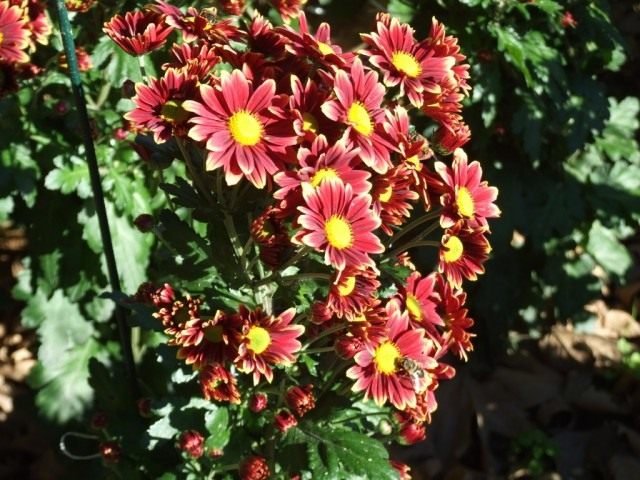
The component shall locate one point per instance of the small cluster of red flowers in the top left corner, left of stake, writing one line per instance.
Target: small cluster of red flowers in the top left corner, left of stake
(23, 25)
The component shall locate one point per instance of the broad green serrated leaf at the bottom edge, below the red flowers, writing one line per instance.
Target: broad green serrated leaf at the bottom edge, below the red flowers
(345, 454)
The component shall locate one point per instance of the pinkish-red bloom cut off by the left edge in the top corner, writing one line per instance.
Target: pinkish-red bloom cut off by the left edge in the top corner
(14, 34)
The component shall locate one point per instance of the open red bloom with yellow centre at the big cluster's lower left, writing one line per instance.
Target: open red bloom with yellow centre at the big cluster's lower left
(266, 340)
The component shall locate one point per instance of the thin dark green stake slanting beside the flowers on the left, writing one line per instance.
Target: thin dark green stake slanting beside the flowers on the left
(96, 187)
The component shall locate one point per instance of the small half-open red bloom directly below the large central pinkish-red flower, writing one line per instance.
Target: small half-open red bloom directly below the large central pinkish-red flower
(352, 291)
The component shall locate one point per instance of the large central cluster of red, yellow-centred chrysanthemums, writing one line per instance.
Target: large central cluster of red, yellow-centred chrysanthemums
(326, 135)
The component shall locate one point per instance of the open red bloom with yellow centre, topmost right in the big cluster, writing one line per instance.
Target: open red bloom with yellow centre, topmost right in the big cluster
(402, 60)
